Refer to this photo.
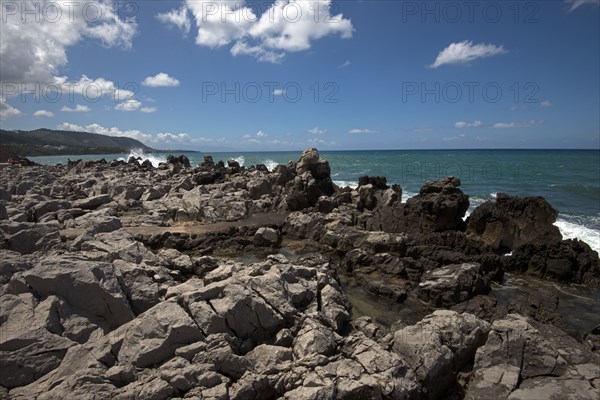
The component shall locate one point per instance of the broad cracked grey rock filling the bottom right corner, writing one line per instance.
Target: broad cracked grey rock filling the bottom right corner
(522, 360)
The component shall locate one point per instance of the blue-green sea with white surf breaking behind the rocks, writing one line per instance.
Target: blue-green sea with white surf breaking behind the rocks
(568, 179)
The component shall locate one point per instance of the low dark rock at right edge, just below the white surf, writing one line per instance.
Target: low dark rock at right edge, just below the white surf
(568, 261)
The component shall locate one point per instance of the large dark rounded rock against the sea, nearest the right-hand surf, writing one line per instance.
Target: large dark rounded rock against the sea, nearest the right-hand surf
(509, 222)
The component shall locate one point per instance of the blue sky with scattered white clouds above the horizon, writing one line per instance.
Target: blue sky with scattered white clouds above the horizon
(286, 75)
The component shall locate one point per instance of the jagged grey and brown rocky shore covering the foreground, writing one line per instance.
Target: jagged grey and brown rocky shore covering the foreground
(124, 281)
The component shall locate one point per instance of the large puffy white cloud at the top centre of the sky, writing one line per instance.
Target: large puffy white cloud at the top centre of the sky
(286, 26)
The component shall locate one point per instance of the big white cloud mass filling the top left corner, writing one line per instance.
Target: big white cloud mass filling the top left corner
(33, 50)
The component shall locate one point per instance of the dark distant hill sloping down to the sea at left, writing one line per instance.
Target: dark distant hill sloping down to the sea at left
(47, 142)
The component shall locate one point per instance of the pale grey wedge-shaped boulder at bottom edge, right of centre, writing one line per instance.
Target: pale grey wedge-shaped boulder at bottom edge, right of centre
(440, 346)
